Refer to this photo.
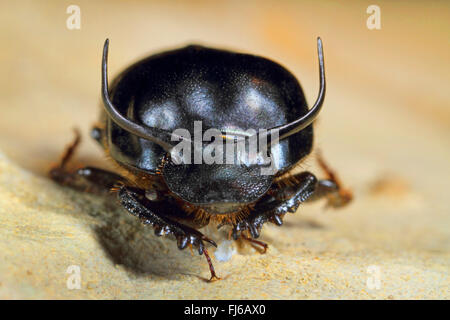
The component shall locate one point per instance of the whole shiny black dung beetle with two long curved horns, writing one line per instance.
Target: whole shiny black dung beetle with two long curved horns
(231, 92)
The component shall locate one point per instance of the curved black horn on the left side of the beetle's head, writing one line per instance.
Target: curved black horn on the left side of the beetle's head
(158, 136)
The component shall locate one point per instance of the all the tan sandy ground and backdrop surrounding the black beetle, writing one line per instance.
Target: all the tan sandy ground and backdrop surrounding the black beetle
(385, 128)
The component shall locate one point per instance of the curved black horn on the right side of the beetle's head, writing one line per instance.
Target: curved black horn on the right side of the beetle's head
(295, 126)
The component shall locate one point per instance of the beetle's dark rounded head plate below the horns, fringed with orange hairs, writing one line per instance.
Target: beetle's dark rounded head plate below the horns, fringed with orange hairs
(219, 187)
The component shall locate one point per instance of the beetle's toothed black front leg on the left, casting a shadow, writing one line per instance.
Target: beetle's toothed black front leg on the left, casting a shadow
(157, 213)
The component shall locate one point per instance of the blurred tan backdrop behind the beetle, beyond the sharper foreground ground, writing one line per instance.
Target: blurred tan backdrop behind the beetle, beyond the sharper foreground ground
(385, 126)
